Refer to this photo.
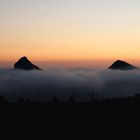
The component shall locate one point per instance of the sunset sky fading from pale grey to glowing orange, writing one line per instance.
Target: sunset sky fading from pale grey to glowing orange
(98, 31)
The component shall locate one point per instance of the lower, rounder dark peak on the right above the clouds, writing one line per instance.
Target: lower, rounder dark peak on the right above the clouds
(122, 65)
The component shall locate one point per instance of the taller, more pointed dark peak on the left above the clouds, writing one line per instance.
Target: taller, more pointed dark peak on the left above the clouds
(24, 64)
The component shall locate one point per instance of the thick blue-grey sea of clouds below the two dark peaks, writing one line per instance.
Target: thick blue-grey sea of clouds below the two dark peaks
(63, 83)
